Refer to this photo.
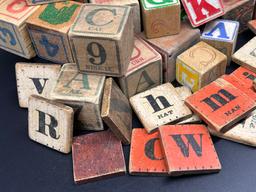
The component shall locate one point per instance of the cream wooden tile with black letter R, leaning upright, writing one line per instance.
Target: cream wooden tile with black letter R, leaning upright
(50, 123)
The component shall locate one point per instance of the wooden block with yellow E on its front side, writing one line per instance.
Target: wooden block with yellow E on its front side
(200, 65)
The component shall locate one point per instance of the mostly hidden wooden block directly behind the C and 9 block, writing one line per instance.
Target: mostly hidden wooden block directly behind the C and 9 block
(134, 4)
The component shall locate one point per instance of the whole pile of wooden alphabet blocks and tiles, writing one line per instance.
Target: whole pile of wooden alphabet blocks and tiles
(111, 57)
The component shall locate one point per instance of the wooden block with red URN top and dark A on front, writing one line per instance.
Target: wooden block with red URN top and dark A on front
(144, 71)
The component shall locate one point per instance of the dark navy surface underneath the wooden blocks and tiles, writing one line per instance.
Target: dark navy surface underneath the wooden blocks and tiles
(28, 166)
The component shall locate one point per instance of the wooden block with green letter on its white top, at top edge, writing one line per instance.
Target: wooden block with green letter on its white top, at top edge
(160, 18)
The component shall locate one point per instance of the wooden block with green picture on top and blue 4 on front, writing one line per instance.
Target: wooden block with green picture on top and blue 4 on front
(48, 28)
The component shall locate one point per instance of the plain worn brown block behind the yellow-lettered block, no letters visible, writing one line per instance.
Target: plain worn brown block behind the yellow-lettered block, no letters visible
(172, 46)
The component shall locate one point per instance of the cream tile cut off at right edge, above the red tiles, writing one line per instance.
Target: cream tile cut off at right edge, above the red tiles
(246, 56)
